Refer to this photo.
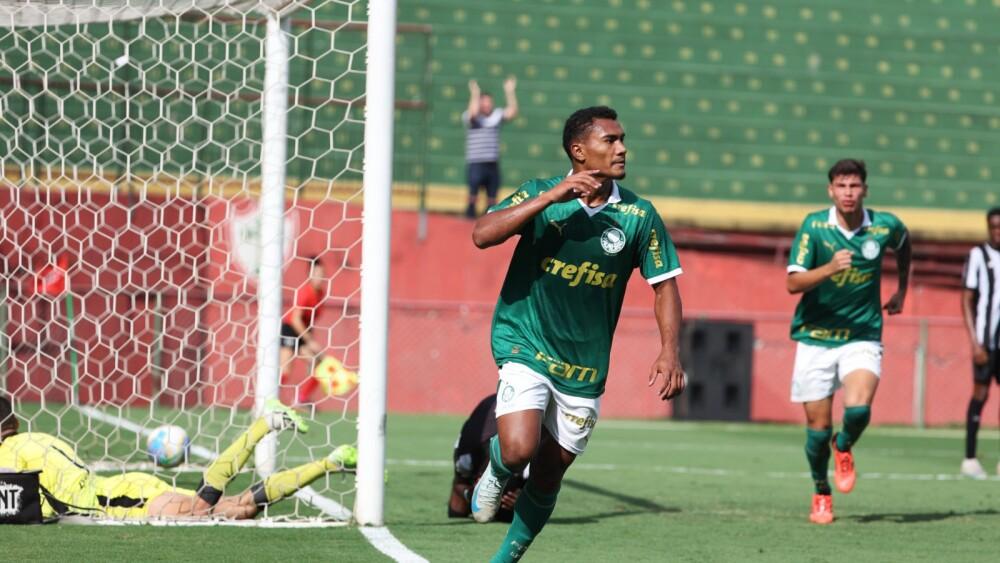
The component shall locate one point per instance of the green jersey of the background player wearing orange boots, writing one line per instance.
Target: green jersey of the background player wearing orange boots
(847, 306)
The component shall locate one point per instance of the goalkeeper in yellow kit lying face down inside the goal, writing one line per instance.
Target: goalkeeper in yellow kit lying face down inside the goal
(69, 487)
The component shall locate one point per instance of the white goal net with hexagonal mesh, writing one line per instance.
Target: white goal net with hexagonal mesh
(170, 168)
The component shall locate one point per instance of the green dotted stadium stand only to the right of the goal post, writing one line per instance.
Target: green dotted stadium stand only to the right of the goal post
(734, 100)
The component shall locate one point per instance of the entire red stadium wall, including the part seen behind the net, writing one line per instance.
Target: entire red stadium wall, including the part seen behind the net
(443, 290)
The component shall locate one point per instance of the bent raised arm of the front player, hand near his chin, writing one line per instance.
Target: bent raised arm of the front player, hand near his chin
(496, 227)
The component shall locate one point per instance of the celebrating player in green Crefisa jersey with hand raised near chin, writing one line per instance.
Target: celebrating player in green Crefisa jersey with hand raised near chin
(581, 235)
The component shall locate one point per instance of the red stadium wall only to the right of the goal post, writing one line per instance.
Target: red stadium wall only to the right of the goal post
(444, 290)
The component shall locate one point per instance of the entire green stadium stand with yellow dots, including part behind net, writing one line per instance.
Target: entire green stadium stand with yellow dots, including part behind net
(740, 100)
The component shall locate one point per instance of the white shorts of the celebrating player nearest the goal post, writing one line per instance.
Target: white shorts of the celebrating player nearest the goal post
(569, 419)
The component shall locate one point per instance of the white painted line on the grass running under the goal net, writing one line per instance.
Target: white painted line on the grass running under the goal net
(380, 537)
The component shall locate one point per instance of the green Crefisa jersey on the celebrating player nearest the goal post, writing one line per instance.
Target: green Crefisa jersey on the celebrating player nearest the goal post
(564, 288)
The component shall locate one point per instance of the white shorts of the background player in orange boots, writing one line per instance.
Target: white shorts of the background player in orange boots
(819, 371)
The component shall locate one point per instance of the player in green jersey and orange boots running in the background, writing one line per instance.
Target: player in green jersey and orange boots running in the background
(836, 264)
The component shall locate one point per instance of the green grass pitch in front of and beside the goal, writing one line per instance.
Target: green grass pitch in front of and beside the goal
(644, 491)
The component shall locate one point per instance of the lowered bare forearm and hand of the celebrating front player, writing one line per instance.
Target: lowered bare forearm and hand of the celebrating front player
(667, 308)
